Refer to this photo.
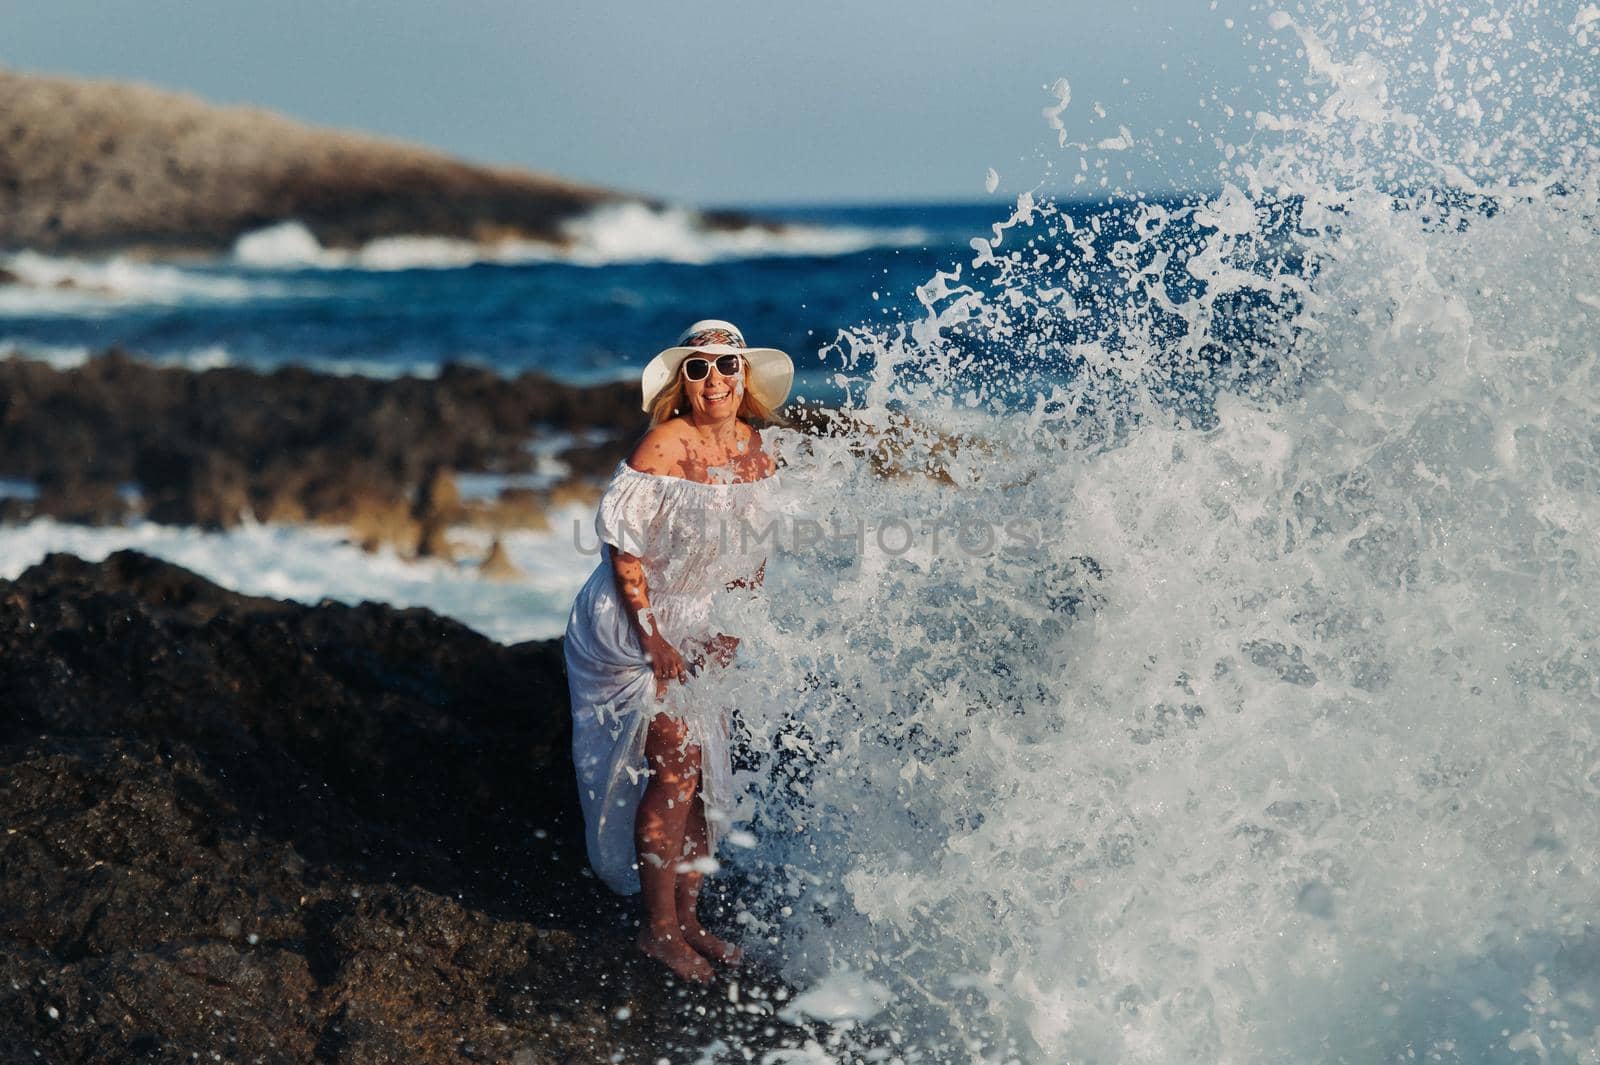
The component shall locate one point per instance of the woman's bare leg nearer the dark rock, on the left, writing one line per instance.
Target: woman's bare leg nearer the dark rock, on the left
(658, 836)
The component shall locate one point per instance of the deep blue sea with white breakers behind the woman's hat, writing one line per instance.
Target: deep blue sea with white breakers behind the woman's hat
(594, 314)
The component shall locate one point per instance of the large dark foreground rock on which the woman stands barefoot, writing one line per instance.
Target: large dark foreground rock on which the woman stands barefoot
(266, 832)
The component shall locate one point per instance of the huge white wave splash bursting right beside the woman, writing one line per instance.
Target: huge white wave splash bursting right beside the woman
(1271, 735)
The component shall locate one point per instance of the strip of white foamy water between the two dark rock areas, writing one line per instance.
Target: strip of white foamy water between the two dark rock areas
(314, 564)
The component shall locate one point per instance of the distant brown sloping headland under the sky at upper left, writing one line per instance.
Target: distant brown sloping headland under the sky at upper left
(110, 167)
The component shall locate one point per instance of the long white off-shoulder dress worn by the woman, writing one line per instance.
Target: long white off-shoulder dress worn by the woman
(694, 541)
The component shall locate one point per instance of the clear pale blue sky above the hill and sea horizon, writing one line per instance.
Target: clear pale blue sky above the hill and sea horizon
(716, 103)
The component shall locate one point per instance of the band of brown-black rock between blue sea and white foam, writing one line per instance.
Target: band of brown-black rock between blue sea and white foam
(215, 447)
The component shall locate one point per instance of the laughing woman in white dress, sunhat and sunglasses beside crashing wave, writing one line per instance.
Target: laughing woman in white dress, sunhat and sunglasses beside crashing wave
(678, 536)
